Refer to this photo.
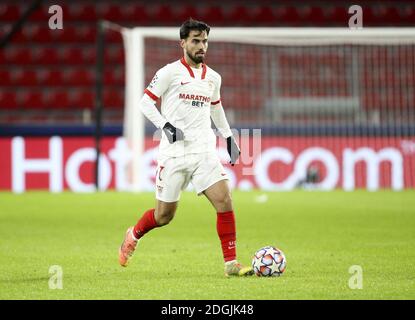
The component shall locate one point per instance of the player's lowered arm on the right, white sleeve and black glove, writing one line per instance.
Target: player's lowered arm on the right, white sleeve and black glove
(219, 119)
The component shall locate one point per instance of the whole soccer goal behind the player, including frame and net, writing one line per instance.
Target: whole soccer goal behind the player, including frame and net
(335, 107)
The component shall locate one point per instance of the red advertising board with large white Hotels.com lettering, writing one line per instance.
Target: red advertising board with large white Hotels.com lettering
(278, 163)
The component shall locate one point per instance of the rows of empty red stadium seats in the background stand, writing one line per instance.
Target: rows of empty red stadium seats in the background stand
(43, 69)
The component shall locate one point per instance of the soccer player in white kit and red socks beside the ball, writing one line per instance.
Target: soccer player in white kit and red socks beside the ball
(190, 97)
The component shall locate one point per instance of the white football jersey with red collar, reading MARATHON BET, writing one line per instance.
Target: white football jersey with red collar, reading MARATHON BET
(186, 97)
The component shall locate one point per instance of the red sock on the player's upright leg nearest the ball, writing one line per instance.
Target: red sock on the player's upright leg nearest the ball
(225, 225)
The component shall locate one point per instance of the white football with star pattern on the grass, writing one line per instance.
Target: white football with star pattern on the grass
(269, 262)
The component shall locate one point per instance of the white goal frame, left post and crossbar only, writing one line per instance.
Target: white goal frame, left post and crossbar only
(134, 123)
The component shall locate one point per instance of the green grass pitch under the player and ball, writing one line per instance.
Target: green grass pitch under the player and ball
(322, 235)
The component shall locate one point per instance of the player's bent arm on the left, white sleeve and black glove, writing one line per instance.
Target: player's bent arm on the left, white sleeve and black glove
(157, 87)
